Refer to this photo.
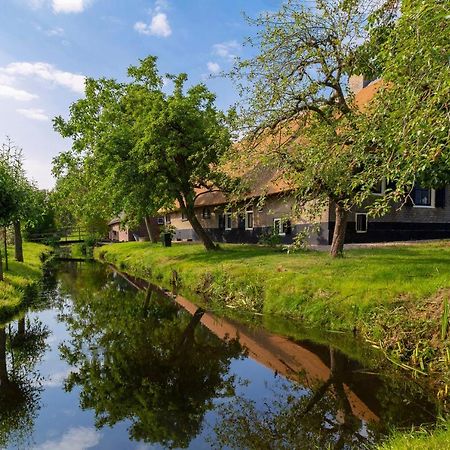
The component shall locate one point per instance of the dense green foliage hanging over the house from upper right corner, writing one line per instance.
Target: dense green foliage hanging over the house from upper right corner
(408, 120)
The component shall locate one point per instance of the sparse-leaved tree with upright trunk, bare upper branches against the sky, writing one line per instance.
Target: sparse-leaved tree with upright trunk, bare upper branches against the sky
(295, 104)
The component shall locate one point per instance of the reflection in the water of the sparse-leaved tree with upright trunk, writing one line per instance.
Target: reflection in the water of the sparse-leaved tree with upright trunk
(298, 418)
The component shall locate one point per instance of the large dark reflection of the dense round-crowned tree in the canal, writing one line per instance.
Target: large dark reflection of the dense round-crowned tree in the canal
(143, 359)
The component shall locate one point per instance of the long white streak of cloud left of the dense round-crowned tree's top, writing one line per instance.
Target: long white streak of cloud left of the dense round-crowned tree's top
(46, 72)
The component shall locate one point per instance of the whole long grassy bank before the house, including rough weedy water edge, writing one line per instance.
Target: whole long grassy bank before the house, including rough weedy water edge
(394, 296)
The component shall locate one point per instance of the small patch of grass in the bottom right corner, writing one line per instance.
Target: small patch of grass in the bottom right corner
(420, 440)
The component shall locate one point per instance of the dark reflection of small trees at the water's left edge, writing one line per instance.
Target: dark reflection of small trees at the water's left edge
(20, 385)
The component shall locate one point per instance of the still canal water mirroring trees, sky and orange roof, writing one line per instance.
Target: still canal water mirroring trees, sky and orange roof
(97, 363)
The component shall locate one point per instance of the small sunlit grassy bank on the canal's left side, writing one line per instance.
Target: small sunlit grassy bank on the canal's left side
(19, 278)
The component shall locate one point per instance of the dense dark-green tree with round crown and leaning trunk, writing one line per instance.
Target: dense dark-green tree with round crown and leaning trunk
(138, 149)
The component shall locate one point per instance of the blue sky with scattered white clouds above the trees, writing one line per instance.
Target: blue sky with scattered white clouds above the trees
(47, 47)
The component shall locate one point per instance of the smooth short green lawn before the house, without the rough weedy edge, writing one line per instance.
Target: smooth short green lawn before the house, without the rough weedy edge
(307, 284)
